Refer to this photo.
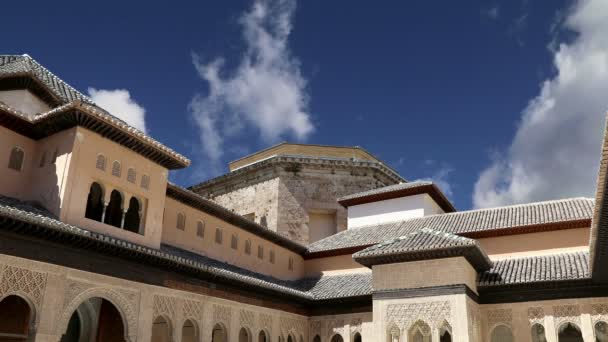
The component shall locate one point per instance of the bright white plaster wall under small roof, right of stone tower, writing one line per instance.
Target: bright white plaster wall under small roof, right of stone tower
(392, 210)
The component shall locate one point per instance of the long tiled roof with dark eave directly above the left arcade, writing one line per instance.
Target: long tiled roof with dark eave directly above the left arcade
(178, 259)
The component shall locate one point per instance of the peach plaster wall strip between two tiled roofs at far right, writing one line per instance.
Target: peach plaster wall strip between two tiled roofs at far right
(543, 243)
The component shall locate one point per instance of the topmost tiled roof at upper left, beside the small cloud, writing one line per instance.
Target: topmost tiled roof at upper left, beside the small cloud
(15, 65)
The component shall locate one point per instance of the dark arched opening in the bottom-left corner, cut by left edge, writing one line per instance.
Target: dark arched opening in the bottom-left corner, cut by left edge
(15, 317)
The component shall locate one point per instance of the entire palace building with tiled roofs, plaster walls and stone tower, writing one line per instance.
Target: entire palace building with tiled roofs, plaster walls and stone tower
(295, 243)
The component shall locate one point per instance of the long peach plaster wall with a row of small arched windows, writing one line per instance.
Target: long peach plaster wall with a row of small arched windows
(206, 245)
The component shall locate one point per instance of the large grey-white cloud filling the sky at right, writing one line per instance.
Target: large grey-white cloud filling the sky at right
(555, 152)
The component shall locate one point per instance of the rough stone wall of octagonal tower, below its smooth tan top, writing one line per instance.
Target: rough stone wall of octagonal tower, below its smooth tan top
(281, 193)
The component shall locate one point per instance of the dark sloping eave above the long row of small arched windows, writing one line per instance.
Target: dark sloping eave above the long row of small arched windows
(194, 200)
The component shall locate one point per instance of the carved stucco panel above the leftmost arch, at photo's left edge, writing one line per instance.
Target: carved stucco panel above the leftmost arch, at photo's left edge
(28, 284)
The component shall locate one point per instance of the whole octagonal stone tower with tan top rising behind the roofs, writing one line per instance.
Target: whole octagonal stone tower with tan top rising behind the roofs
(292, 188)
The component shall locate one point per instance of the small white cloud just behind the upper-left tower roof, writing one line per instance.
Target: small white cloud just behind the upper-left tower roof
(120, 104)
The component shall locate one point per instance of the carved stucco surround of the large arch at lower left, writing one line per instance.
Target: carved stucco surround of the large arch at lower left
(125, 301)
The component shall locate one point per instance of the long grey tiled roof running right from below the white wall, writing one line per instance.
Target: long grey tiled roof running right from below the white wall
(493, 221)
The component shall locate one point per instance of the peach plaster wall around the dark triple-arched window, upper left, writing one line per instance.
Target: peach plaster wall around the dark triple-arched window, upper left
(83, 172)
